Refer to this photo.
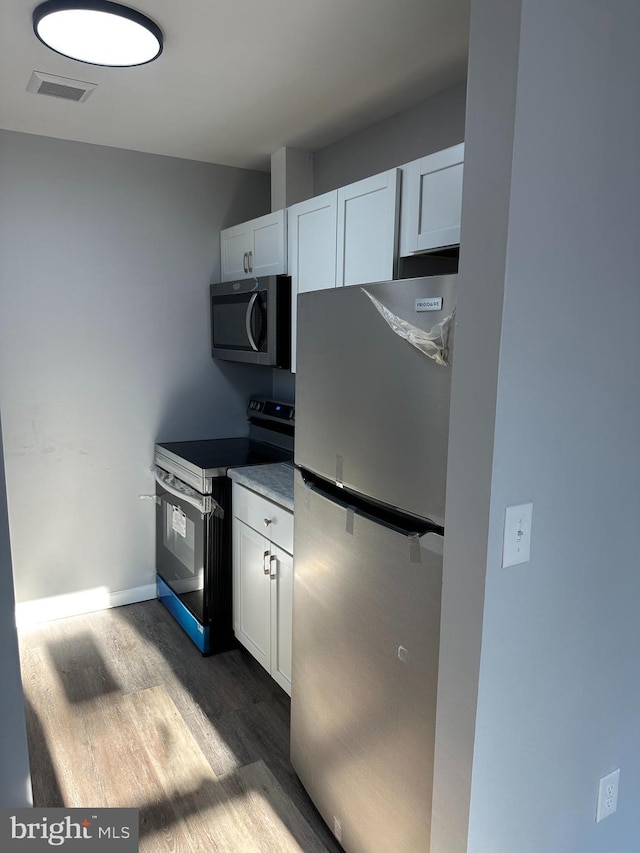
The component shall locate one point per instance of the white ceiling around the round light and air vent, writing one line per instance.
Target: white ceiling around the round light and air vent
(239, 79)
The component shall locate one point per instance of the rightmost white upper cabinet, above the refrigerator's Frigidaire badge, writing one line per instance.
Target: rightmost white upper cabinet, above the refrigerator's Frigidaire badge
(432, 201)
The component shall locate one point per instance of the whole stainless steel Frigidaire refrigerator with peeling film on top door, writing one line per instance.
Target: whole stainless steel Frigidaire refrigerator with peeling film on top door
(372, 419)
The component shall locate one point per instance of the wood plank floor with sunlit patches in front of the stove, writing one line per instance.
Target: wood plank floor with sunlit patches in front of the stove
(122, 710)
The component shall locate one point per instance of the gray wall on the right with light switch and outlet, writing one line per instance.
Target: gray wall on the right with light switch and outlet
(558, 698)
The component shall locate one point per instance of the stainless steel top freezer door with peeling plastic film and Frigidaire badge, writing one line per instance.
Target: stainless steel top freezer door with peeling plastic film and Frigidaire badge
(372, 411)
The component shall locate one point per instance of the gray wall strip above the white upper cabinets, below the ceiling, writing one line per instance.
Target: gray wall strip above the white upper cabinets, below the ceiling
(436, 123)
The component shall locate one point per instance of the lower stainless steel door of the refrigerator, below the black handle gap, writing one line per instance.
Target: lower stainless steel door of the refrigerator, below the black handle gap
(365, 660)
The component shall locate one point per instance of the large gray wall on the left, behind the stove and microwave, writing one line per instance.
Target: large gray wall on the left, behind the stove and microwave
(105, 260)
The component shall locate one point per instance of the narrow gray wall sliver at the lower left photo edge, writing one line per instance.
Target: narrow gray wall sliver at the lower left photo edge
(15, 779)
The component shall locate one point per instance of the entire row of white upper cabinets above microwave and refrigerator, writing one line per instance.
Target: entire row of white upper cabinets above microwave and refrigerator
(350, 235)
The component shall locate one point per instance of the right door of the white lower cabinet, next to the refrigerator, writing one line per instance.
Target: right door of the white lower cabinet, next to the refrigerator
(281, 617)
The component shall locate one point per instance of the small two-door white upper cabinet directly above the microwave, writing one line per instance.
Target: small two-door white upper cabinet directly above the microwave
(254, 248)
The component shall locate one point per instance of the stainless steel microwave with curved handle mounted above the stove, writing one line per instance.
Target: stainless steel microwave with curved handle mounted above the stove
(251, 321)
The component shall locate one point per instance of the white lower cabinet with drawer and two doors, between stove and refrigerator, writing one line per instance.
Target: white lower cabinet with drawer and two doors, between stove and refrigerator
(263, 582)
